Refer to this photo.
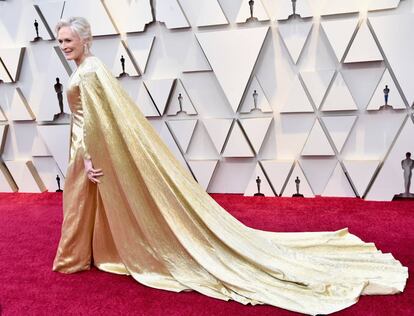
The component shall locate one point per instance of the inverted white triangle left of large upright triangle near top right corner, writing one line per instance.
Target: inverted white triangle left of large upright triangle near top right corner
(339, 33)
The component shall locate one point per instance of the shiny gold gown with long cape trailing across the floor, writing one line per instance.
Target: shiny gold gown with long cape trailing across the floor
(148, 218)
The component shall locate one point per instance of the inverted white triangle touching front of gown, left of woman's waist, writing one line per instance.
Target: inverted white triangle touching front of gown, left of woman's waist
(57, 140)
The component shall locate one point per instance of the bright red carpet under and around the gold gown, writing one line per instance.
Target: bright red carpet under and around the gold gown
(30, 228)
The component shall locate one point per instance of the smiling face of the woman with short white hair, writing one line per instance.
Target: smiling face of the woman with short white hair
(71, 44)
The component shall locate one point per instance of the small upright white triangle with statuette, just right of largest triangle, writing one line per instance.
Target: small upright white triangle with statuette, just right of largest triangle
(255, 101)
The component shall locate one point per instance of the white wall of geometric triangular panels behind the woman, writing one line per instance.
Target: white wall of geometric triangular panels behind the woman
(276, 96)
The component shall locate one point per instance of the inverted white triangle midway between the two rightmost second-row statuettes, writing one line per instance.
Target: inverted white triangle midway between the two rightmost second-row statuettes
(317, 82)
